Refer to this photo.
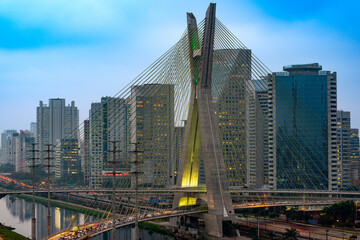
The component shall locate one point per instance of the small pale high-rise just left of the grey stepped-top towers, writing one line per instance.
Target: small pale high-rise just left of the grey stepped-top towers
(23, 143)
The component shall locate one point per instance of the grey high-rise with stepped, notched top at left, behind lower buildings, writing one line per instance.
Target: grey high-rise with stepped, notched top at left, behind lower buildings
(55, 122)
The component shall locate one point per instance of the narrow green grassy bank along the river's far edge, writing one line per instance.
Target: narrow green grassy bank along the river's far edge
(67, 205)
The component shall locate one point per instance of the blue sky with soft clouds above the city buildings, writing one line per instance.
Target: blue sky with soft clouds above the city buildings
(85, 49)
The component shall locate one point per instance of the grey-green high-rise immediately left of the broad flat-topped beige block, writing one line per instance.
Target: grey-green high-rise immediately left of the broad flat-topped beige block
(109, 121)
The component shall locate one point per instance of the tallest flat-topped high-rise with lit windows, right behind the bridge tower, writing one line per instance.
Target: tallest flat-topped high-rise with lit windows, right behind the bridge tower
(239, 113)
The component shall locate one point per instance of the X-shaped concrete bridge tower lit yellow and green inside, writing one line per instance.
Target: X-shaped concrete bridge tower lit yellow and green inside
(201, 136)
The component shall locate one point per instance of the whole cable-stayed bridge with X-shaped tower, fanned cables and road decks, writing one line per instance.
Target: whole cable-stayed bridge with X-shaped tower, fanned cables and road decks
(196, 130)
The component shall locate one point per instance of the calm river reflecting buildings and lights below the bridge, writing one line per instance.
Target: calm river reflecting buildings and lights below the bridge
(17, 213)
